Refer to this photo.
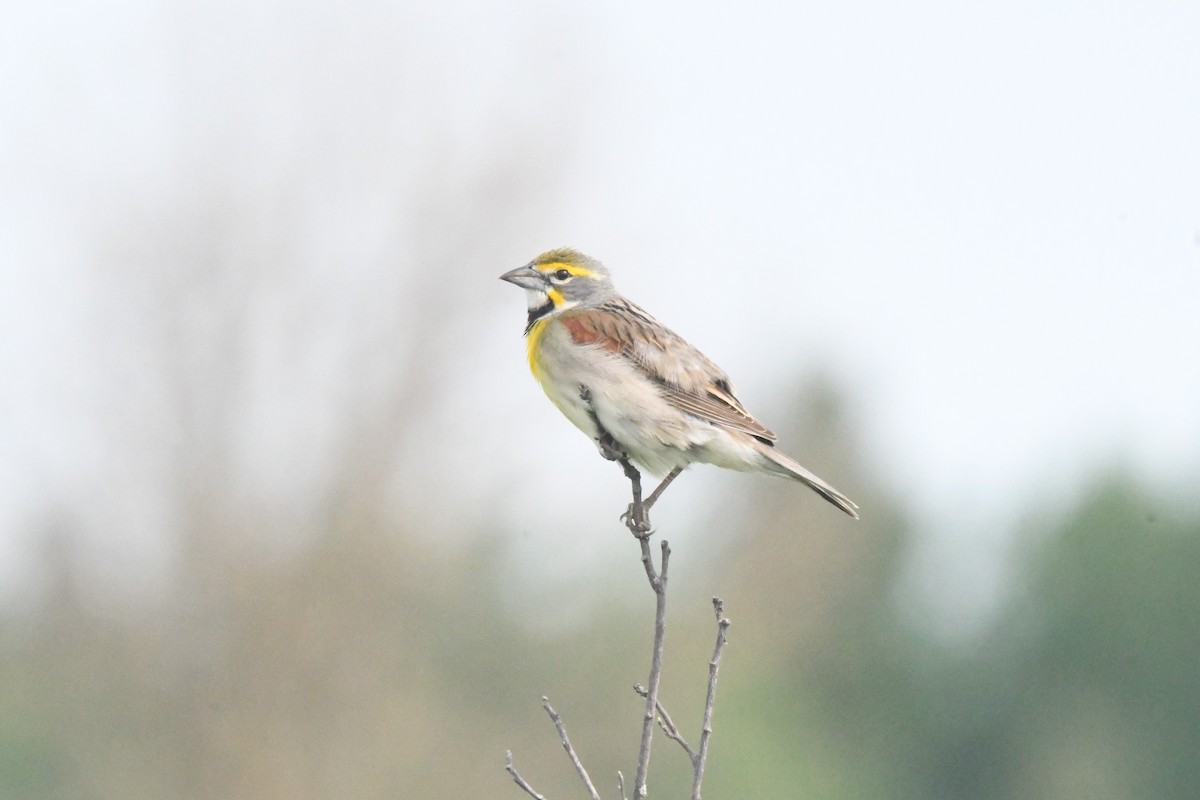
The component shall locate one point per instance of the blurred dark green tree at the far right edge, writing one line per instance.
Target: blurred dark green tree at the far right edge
(1105, 646)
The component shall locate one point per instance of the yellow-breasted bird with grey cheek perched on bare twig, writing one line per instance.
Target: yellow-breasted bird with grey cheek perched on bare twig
(627, 381)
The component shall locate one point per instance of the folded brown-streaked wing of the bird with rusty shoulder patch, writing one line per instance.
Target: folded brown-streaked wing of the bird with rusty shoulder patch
(689, 381)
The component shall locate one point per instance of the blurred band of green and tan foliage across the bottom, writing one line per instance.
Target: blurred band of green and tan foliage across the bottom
(373, 665)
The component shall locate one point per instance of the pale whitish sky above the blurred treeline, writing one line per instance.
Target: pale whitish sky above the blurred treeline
(981, 221)
